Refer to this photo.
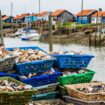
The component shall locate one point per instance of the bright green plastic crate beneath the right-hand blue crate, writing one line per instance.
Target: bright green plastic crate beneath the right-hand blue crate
(76, 78)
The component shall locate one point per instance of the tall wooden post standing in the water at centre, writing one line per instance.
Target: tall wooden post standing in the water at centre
(50, 33)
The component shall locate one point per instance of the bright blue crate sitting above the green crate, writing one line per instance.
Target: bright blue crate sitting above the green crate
(72, 61)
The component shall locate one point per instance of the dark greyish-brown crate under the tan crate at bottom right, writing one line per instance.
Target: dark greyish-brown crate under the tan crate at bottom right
(76, 101)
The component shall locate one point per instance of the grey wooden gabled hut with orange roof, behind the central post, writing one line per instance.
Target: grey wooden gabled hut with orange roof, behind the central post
(62, 16)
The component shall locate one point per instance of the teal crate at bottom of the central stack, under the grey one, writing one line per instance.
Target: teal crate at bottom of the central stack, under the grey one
(45, 96)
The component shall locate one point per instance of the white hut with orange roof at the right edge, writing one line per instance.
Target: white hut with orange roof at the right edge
(98, 17)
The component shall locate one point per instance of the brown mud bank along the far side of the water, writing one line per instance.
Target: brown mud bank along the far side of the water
(77, 38)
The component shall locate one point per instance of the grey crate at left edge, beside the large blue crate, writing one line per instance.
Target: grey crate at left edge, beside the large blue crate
(7, 64)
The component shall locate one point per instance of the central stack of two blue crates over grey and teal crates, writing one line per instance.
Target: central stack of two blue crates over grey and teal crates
(44, 83)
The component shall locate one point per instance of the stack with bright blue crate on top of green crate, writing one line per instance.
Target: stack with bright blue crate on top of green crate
(73, 63)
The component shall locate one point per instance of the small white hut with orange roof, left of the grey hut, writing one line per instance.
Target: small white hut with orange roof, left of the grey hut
(43, 16)
